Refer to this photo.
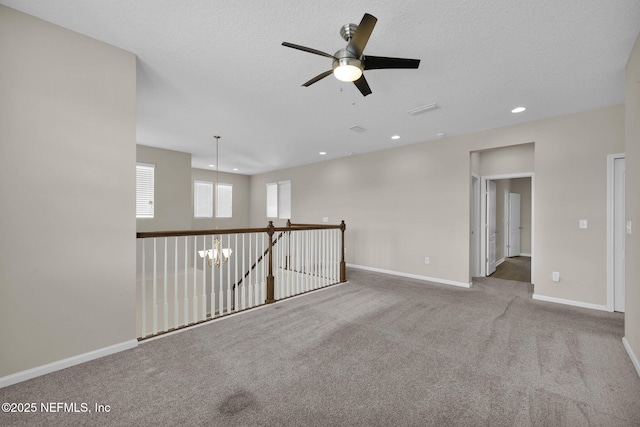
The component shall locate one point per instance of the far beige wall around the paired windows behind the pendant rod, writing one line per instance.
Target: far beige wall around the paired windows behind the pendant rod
(240, 207)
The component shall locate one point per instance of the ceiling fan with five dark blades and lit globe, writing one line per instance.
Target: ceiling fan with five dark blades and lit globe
(350, 62)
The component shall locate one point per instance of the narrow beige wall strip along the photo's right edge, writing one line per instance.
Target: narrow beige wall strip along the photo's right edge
(632, 201)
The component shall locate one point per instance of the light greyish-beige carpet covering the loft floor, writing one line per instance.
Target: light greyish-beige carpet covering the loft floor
(378, 351)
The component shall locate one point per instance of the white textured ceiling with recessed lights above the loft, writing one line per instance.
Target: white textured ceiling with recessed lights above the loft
(218, 68)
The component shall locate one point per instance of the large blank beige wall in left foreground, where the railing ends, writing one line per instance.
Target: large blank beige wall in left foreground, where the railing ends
(67, 199)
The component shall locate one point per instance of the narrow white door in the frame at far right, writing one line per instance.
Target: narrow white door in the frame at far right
(618, 235)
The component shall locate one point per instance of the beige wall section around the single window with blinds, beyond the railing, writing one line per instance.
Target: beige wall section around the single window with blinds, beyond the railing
(172, 196)
